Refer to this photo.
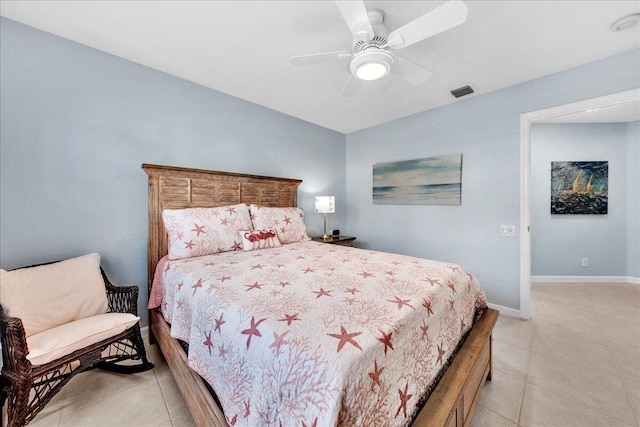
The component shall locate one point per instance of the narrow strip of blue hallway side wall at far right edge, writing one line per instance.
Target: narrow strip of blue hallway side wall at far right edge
(633, 199)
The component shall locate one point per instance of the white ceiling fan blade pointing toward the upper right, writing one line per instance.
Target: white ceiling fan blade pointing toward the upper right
(445, 17)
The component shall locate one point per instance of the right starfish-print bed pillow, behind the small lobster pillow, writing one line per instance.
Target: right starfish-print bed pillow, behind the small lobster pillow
(288, 222)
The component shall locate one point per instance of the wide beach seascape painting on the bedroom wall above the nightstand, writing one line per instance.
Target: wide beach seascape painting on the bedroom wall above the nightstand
(428, 181)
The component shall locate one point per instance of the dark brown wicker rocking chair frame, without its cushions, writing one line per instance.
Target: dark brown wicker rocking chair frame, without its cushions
(28, 388)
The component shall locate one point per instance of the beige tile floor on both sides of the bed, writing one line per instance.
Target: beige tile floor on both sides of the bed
(576, 363)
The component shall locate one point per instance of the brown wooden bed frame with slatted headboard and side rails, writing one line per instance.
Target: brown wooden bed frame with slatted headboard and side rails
(452, 402)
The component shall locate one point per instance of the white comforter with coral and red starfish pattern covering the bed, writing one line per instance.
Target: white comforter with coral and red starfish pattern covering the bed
(311, 334)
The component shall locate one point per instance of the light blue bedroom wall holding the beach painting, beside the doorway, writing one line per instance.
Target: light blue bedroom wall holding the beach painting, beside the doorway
(485, 129)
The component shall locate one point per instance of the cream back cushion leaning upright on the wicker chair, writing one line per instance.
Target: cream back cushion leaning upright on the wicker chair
(50, 295)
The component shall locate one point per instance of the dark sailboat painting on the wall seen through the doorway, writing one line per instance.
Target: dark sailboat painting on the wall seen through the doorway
(579, 188)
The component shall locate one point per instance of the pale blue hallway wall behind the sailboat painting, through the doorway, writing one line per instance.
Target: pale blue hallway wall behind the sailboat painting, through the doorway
(559, 242)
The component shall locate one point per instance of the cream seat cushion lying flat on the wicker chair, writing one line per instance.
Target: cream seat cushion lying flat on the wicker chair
(62, 340)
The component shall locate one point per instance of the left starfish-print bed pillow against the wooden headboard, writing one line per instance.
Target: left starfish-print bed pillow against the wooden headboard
(205, 231)
